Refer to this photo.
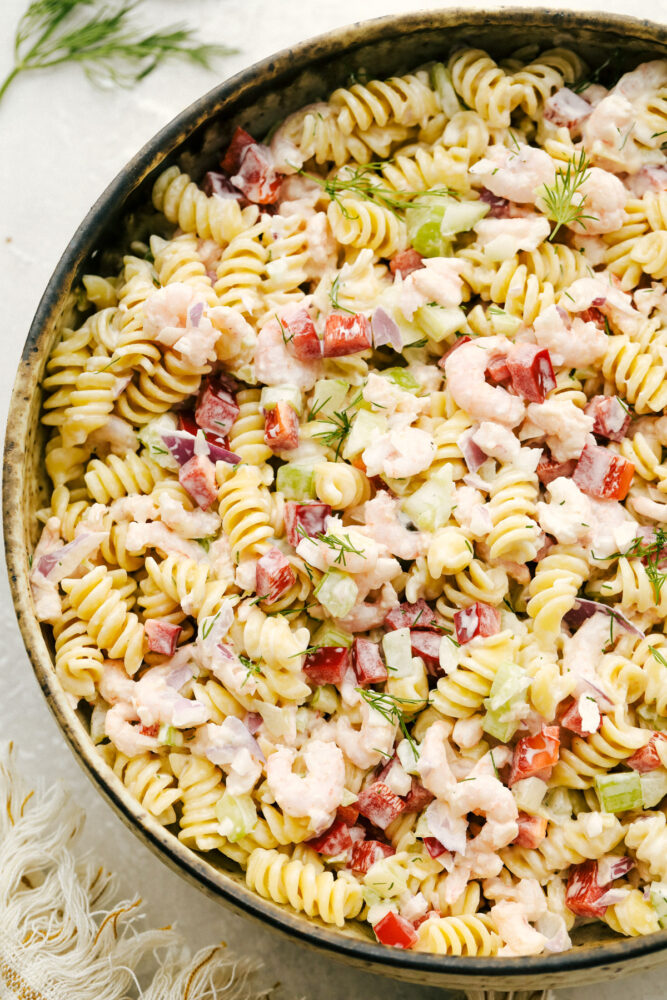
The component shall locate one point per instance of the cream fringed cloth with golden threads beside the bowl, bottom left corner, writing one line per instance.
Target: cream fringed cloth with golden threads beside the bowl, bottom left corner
(63, 933)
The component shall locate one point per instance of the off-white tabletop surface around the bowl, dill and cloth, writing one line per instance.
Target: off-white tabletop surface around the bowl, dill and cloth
(61, 142)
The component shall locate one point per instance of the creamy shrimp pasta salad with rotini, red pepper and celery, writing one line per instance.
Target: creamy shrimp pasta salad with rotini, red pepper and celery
(355, 550)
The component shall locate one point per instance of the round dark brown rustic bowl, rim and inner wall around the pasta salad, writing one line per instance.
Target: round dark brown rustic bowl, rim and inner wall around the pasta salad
(257, 99)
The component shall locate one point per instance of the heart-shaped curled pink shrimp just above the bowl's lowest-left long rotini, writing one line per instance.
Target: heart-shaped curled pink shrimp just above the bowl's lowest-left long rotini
(319, 792)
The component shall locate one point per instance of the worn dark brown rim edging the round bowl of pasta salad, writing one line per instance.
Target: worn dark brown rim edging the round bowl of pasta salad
(186, 862)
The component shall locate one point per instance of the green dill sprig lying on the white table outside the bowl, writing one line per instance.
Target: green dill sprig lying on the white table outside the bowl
(101, 36)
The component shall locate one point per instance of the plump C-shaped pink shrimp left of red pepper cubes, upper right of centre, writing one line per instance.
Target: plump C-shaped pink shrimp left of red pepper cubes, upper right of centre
(465, 368)
